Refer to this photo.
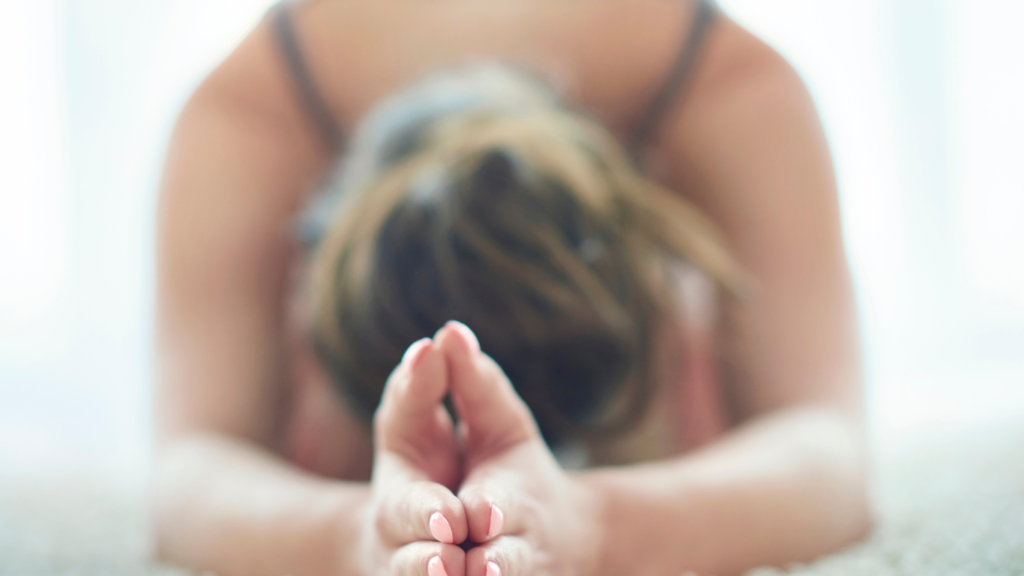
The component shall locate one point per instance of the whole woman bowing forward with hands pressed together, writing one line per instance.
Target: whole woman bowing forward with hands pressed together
(265, 466)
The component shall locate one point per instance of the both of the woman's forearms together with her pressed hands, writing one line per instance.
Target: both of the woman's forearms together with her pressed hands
(488, 499)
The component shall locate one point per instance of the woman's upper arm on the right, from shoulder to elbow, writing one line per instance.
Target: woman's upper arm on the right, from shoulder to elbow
(749, 149)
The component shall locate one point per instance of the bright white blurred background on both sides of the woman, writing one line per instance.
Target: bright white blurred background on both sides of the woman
(923, 102)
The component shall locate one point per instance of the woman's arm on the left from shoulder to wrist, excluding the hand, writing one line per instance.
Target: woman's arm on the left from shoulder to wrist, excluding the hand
(237, 168)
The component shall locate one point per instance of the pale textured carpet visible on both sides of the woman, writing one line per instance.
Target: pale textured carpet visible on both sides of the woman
(951, 503)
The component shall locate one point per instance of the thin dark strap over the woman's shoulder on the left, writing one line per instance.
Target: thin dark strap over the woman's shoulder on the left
(313, 102)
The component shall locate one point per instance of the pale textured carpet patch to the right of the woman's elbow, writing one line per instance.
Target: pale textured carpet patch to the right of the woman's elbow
(950, 504)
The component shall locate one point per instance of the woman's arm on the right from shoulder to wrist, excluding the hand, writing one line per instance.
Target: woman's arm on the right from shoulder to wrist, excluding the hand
(790, 483)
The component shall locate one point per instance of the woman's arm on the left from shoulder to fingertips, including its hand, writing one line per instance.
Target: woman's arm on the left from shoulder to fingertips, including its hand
(241, 159)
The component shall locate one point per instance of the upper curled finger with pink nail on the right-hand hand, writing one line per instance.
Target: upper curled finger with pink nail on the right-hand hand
(494, 501)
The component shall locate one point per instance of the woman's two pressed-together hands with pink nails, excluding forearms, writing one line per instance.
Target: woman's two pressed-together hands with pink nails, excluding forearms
(488, 500)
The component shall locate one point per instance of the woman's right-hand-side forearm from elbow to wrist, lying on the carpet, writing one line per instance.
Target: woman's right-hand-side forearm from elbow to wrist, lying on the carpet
(785, 488)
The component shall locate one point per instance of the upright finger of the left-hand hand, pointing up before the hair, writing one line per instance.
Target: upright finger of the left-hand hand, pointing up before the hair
(412, 396)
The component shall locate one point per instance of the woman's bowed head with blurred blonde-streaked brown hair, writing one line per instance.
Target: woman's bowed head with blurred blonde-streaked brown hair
(522, 220)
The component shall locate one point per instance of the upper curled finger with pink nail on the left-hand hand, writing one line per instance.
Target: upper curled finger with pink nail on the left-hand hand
(420, 511)
